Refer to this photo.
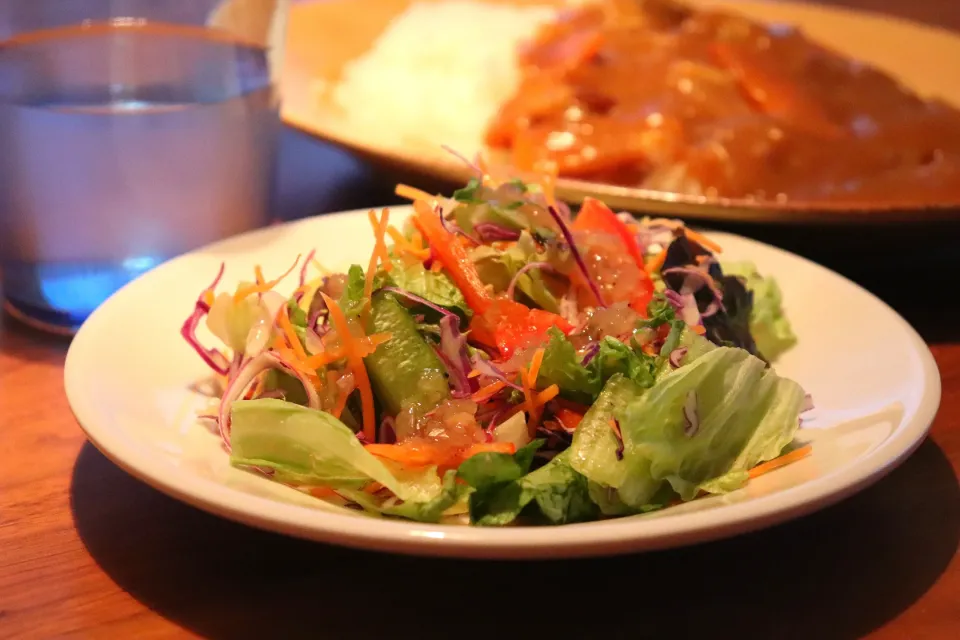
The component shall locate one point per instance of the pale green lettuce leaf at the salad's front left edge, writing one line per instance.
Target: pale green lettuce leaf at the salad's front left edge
(308, 447)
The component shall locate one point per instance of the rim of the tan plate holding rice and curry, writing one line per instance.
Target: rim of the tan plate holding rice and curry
(739, 210)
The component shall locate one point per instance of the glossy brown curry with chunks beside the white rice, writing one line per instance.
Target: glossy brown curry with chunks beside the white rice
(655, 94)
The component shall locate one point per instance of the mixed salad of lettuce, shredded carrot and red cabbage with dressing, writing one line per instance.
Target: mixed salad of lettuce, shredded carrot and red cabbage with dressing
(498, 360)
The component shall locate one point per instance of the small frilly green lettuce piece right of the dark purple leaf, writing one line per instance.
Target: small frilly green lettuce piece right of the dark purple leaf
(768, 324)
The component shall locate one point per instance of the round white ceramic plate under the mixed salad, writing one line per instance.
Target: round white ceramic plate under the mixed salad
(128, 379)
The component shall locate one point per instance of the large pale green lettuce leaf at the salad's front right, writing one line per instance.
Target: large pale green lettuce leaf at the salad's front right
(747, 414)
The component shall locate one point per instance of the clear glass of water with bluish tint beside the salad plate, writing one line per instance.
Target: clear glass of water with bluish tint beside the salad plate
(131, 131)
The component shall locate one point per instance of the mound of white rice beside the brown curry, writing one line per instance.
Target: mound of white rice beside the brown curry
(438, 73)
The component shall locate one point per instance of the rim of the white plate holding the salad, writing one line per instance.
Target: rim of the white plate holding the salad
(610, 537)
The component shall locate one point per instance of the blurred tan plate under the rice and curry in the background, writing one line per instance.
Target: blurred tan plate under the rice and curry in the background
(324, 36)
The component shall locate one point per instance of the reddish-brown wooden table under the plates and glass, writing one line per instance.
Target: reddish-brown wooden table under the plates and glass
(88, 551)
